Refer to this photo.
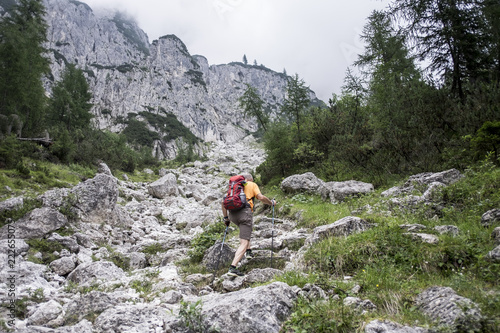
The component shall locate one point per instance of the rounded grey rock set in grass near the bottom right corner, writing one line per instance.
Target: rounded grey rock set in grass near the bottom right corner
(443, 305)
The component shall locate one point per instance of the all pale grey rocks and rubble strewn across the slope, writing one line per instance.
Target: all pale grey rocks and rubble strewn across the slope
(150, 226)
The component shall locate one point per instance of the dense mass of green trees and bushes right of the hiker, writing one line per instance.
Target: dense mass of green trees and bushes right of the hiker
(393, 120)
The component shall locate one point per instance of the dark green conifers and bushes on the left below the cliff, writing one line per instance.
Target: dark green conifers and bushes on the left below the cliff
(65, 117)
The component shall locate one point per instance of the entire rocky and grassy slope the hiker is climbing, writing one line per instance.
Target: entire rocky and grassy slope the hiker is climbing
(112, 254)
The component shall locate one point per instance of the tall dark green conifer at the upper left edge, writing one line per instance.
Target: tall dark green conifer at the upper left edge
(23, 64)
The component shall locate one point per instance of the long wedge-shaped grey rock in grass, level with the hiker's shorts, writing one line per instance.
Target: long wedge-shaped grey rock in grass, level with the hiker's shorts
(343, 227)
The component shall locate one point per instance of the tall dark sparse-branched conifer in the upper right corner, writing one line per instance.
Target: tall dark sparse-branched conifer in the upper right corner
(452, 34)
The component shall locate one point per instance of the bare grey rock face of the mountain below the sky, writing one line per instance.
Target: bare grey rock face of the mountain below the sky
(129, 76)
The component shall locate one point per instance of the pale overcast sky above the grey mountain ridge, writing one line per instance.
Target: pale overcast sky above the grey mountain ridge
(316, 39)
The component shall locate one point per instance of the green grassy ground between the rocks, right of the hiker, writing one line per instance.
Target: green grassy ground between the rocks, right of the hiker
(389, 266)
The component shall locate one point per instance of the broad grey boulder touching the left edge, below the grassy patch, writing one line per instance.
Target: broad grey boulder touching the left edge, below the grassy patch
(36, 223)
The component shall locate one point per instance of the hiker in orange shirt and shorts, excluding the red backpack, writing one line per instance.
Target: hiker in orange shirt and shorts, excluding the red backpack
(243, 218)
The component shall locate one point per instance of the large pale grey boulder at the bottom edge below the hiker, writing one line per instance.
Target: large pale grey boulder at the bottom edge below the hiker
(256, 310)
